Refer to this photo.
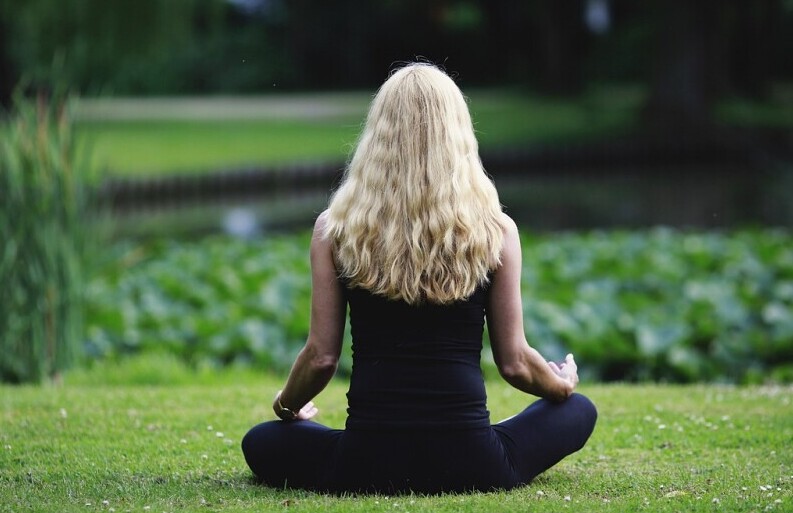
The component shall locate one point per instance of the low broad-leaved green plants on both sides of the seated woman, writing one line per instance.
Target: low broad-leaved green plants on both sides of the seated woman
(654, 305)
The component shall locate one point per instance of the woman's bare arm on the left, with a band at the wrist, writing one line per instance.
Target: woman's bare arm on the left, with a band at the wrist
(317, 361)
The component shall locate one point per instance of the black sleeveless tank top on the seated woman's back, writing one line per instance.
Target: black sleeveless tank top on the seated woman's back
(416, 366)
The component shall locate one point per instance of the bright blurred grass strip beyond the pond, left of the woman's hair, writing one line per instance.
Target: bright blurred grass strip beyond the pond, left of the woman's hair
(153, 147)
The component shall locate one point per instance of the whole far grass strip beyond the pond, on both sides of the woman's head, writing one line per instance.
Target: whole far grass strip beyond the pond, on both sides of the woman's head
(177, 139)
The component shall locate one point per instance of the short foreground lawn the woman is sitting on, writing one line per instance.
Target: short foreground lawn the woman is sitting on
(175, 447)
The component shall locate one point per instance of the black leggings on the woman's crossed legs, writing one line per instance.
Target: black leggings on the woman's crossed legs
(304, 454)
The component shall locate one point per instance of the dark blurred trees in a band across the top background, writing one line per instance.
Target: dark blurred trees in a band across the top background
(211, 46)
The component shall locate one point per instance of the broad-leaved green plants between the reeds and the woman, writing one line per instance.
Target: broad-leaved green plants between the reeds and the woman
(218, 301)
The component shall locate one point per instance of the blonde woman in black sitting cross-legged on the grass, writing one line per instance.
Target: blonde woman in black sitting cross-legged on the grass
(414, 241)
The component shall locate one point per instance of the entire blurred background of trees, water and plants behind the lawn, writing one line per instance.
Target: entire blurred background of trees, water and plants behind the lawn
(163, 161)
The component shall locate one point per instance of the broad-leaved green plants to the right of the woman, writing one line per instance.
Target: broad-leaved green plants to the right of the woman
(664, 305)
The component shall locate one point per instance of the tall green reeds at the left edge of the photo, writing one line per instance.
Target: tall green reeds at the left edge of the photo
(44, 200)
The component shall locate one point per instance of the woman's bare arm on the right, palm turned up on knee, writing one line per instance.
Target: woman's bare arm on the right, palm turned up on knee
(518, 363)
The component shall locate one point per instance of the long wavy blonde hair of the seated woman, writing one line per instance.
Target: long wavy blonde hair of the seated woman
(416, 218)
